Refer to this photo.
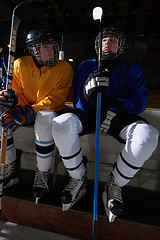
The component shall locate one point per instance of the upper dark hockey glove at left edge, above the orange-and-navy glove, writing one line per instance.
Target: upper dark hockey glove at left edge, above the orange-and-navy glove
(8, 99)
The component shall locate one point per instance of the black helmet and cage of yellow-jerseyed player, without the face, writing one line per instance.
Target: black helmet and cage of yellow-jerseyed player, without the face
(35, 39)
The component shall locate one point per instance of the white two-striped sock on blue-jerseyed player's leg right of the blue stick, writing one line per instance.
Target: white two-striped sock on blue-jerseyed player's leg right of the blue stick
(141, 140)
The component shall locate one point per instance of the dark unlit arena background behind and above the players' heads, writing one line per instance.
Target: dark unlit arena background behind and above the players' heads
(138, 19)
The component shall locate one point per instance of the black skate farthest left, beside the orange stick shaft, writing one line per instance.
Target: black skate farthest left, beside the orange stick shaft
(12, 171)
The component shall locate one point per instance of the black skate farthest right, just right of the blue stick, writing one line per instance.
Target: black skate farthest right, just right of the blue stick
(112, 199)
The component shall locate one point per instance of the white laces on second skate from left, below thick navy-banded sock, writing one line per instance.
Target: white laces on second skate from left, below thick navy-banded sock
(41, 179)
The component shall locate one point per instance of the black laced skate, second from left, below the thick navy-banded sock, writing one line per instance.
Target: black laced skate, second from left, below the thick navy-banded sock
(40, 186)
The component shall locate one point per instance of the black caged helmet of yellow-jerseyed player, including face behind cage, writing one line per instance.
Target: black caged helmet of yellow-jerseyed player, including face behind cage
(37, 40)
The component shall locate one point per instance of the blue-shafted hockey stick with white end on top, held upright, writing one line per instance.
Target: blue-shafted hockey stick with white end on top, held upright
(97, 15)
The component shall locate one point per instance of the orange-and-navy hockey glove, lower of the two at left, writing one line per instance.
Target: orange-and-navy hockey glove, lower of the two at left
(14, 118)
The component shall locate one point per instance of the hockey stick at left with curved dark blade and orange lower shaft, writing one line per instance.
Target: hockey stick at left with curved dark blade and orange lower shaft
(20, 11)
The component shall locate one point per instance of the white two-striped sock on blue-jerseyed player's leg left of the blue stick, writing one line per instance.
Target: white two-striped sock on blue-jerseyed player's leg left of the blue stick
(65, 130)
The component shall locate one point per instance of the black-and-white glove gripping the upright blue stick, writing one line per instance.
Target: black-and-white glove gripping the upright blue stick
(97, 81)
